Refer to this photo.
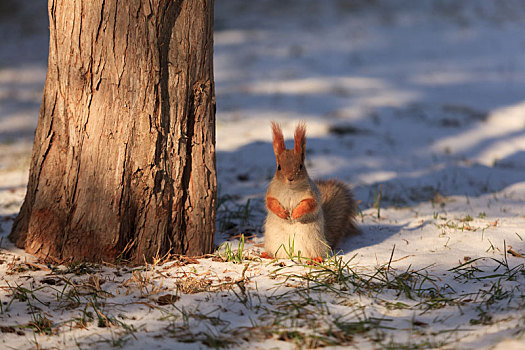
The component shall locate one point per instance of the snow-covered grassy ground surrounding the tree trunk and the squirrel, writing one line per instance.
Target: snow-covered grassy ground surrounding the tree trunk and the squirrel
(422, 102)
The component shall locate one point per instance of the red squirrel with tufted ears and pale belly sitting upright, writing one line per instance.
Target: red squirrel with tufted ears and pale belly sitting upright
(304, 217)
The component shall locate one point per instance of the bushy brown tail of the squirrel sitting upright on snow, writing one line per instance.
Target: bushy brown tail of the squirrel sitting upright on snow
(339, 209)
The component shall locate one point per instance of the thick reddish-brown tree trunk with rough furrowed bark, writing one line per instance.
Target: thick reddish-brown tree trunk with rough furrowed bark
(123, 162)
